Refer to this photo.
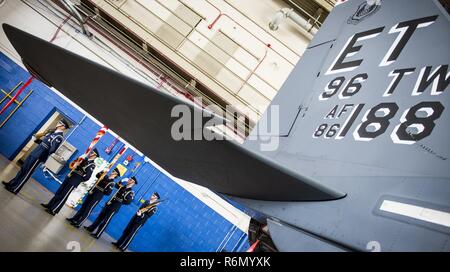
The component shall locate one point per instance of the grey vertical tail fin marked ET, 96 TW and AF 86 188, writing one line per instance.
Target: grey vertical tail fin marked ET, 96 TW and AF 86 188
(391, 146)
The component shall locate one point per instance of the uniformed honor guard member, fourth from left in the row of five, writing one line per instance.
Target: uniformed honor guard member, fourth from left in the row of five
(124, 195)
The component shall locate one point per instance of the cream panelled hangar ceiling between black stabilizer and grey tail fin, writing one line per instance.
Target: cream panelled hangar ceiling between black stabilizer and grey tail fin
(239, 61)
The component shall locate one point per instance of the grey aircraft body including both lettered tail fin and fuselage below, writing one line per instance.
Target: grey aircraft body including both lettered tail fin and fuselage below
(384, 139)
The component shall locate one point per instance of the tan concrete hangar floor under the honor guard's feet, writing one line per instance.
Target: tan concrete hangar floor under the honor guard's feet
(25, 226)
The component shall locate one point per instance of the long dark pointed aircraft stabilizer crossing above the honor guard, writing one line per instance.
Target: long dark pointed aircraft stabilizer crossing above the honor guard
(142, 116)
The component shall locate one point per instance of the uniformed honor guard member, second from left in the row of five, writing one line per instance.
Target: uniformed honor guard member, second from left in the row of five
(81, 173)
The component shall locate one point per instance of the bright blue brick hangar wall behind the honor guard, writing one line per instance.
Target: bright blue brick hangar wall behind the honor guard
(184, 223)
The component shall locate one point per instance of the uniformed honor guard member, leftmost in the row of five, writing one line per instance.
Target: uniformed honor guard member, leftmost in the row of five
(48, 144)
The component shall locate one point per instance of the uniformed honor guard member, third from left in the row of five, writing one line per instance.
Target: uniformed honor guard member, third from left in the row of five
(103, 187)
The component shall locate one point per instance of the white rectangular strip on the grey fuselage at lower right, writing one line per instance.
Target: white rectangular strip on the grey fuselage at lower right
(417, 212)
